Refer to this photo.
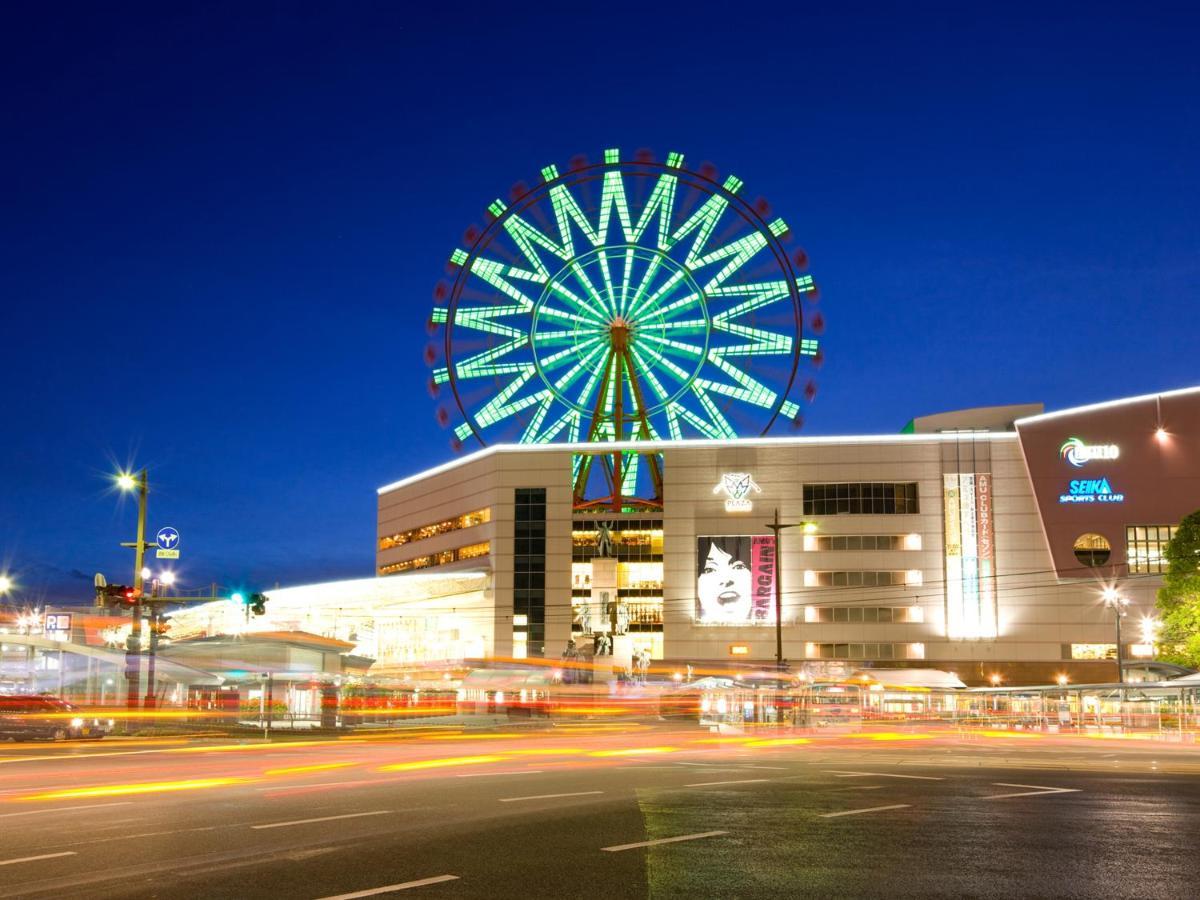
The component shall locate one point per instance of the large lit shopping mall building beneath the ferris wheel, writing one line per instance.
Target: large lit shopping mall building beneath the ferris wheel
(980, 542)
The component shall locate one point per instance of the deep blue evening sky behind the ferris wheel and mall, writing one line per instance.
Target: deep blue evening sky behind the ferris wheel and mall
(221, 230)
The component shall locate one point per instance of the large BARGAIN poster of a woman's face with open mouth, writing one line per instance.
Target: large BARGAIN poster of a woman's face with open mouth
(735, 580)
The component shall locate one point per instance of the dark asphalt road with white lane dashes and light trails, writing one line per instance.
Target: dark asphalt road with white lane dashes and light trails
(596, 812)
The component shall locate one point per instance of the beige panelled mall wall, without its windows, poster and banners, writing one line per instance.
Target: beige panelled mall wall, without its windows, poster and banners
(1037, 613)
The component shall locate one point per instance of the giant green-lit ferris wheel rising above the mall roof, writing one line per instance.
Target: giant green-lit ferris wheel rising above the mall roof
(625, 299)
